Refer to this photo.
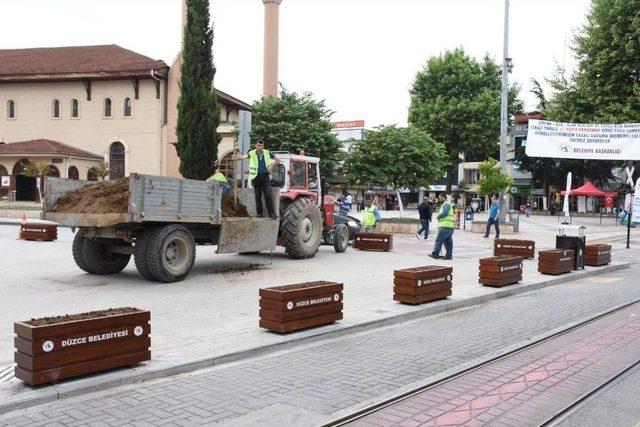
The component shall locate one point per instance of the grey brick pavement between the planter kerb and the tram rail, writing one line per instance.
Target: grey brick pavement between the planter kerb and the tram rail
(316, 383)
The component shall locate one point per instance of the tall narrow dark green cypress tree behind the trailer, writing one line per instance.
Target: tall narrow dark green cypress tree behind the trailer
(198, 110)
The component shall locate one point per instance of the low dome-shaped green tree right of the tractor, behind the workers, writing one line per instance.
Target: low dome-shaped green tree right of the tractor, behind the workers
(397, 157)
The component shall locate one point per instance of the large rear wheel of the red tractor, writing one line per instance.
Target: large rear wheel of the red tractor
(301, 228)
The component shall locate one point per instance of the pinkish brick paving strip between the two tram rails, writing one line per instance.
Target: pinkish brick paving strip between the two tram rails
(529, 387)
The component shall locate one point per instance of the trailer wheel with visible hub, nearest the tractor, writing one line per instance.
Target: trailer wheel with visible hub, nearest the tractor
(170, 253)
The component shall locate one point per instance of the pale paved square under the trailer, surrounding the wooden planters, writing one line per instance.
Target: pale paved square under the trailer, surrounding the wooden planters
(214, 312)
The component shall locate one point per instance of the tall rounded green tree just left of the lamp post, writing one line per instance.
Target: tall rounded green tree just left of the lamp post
(456, 99)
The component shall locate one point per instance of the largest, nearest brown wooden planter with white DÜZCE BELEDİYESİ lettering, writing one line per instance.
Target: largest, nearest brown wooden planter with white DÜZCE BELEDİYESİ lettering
(52, 349)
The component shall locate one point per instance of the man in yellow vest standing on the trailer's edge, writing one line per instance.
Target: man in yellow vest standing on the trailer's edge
(260, 163)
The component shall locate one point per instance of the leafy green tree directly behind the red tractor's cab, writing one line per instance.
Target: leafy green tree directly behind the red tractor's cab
(295, 122)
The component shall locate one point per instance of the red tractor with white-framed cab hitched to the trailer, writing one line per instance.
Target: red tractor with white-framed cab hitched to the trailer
(306, 215)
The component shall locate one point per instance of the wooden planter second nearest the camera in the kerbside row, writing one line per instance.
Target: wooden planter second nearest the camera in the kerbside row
(290, 308)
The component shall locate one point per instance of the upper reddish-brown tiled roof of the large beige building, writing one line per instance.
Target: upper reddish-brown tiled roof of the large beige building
(104, 61)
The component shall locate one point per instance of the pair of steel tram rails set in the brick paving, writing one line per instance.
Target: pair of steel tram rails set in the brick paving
(551, 420)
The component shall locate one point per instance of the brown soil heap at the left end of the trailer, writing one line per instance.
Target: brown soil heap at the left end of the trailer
(103, 197)
